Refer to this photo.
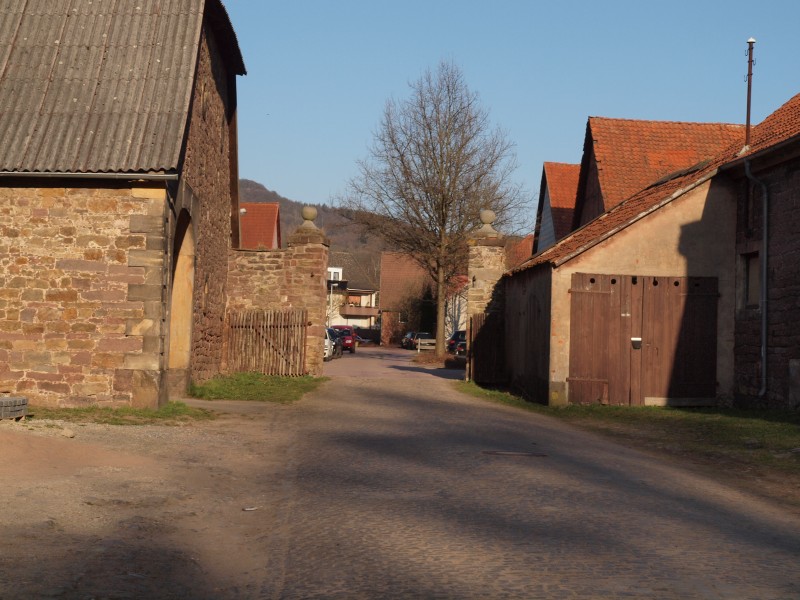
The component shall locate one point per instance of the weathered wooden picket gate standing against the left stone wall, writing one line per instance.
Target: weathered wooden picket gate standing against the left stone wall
(268, 342)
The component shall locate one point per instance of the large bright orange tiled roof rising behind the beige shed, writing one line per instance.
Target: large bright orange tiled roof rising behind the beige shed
(631, 154)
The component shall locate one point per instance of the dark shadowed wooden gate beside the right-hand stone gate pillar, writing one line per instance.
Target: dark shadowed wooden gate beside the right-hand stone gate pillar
(486, 347)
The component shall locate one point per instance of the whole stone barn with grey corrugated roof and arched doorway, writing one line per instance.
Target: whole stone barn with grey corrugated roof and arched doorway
(119, 197)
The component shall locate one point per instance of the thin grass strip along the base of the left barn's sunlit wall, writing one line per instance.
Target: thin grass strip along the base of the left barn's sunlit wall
(173, 413)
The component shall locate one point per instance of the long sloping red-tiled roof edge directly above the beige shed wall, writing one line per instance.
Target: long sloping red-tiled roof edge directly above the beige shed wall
(781, 126)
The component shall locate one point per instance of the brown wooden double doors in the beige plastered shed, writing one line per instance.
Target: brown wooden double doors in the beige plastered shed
(642, 340)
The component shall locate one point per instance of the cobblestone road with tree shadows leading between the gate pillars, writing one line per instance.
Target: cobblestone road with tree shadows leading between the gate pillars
(398, 487)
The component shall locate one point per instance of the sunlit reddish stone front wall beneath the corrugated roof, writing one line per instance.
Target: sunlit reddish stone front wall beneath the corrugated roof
(80, 293)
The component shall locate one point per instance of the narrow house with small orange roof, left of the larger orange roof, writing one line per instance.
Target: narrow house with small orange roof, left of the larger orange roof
(555, 212)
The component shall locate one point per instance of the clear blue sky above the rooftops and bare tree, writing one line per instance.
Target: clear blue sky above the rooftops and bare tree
(320, 73)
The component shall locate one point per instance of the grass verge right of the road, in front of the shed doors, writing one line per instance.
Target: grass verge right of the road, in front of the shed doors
(749, 439)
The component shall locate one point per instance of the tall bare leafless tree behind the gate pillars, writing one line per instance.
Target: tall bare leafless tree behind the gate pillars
(434, 164)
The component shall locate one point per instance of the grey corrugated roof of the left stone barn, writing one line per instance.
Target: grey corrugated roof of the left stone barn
(101, 86)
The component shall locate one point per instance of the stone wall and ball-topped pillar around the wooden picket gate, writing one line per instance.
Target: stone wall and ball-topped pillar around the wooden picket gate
(282, 279)
